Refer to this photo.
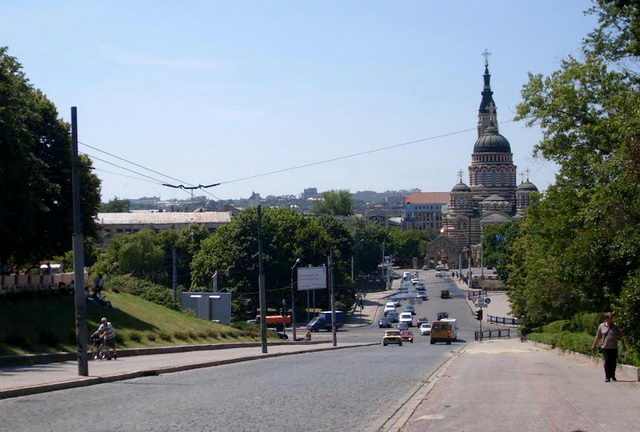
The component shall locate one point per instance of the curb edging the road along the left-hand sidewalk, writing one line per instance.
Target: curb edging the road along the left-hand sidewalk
(83, 382)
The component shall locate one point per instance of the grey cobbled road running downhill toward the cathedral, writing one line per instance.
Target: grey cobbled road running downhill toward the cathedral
(335, 389)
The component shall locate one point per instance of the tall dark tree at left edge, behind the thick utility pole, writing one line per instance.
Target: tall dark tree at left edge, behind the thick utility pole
(35, 173)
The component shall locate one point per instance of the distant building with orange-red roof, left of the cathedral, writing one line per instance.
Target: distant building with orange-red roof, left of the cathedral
(423, 211)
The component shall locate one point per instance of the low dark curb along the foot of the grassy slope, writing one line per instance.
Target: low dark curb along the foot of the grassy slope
(31, 359)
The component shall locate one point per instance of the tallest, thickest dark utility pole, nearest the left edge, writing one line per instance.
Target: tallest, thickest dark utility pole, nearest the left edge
(78, 251)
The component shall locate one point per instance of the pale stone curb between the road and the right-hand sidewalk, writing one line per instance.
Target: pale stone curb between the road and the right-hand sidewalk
(403, 412)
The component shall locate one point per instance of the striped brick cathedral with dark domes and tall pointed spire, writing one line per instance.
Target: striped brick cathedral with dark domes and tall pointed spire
(492, 195)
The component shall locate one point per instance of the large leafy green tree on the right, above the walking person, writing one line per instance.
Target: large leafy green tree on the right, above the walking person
(579, 247)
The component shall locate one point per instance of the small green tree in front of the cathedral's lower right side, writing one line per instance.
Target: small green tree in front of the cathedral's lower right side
(497, 244)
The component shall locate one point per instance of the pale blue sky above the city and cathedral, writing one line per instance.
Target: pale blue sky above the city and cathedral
(213, 91)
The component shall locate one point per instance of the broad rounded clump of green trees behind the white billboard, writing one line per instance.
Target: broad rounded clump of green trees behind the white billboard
(233, 251)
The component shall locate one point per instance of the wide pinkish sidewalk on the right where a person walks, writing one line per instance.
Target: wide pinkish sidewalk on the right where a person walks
(502, 385)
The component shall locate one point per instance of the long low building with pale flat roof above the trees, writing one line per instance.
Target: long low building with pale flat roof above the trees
(129, 223)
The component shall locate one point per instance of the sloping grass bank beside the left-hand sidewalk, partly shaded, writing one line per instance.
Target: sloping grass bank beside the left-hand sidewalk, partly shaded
(41, 325)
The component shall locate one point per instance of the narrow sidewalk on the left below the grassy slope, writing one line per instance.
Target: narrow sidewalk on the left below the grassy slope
(23, 380)
